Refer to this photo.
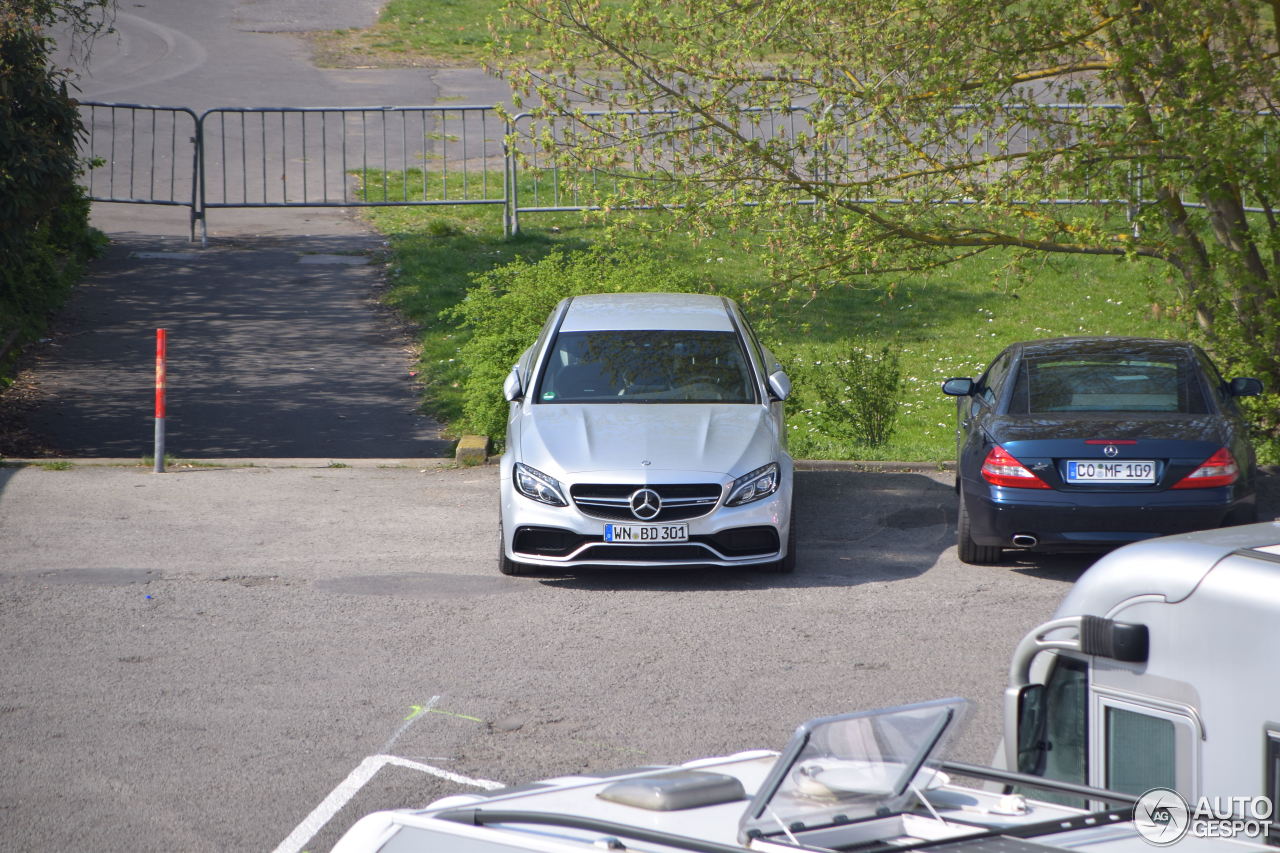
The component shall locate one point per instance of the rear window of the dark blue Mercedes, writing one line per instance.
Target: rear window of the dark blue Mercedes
(1108, 384)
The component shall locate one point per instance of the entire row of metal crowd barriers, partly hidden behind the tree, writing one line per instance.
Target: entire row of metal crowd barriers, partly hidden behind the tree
(465, 156)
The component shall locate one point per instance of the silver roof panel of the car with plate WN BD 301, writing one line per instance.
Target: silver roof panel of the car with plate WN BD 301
(636, 312)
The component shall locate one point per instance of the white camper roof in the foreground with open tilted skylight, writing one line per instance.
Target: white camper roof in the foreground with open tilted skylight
(871, 782)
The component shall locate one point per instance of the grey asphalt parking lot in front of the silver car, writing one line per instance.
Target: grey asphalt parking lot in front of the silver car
(196, 660)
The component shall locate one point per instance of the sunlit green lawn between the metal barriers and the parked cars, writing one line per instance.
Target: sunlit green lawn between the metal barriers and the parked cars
(944, 323)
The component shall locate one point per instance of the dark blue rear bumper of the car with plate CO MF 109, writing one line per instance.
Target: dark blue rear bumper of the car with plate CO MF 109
(1087, 522)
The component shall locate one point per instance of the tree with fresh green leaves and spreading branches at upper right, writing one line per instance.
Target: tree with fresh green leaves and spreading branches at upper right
(926, 131)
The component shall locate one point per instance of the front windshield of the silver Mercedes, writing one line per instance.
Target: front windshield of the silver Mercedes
(647, 367)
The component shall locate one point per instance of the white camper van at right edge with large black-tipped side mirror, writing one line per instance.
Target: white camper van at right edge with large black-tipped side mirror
(1162, 669)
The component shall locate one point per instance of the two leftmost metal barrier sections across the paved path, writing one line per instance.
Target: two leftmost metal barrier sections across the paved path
(295, 157)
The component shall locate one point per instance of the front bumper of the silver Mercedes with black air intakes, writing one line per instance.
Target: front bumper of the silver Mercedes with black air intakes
(568, 537)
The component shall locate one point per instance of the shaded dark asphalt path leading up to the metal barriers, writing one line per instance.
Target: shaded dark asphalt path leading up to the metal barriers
(277, 349)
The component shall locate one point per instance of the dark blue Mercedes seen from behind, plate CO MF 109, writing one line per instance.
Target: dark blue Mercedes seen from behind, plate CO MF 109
(1089, 444)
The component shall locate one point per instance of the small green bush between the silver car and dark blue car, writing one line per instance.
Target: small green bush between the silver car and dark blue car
(851, 395)
